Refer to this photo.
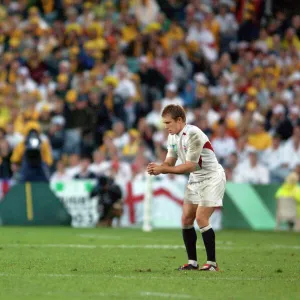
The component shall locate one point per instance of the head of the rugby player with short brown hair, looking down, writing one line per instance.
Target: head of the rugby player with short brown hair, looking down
(174, 118)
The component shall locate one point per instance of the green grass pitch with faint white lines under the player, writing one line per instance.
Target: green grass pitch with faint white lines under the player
(66, 263)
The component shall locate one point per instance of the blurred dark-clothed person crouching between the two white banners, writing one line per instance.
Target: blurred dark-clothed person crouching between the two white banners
(110, 200)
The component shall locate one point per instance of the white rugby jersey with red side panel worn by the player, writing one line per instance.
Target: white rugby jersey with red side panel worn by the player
(192, 144)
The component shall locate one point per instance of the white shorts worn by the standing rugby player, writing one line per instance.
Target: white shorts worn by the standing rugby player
(208, 192)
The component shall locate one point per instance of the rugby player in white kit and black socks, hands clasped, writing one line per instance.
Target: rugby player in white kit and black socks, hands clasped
(206, 185)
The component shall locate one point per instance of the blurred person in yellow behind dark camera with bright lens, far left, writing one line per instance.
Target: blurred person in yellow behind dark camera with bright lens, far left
(33, 155)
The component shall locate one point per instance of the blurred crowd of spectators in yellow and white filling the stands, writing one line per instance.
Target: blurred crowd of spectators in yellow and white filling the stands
(93, 77)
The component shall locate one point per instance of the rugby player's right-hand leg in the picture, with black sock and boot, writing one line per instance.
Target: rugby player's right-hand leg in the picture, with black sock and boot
(208, 235)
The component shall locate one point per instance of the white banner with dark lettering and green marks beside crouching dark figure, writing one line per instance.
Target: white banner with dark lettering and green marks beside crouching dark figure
(75, 196)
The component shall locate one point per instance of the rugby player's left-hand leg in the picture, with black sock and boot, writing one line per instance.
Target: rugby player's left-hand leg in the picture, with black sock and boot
(189, 235)
